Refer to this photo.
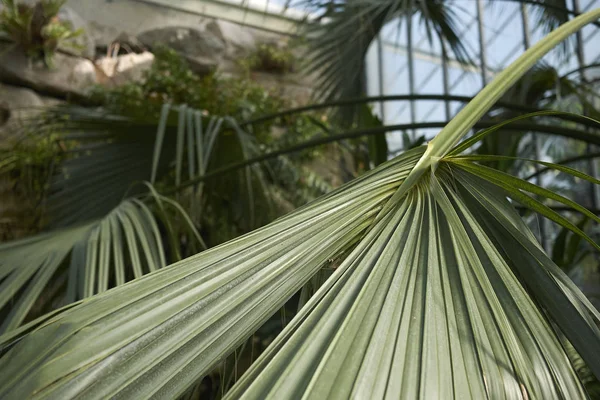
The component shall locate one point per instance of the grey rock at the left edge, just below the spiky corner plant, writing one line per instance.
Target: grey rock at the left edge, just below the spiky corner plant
(70, 75)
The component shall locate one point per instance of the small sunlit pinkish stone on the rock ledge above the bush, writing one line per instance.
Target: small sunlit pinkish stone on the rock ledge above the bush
(115, 71)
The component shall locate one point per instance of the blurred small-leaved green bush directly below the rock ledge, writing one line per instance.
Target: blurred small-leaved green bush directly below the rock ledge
(170, 80)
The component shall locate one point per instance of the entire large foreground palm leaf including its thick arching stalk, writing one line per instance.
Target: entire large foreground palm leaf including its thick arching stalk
(442, 292)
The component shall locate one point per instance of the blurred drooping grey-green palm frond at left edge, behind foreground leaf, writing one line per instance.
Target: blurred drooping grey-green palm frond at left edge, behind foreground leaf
(78, 262)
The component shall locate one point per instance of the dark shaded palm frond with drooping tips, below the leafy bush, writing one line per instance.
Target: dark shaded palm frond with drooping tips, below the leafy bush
(114, 154)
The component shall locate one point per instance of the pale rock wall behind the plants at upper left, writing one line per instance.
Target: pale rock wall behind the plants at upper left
(120, 35)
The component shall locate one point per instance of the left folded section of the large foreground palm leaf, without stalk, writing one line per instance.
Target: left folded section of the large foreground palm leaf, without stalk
(181, 320)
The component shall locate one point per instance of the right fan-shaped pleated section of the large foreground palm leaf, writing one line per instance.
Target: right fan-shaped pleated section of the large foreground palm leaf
(453, 314)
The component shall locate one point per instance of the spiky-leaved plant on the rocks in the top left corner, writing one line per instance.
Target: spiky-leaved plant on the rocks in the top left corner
(36, 28)
